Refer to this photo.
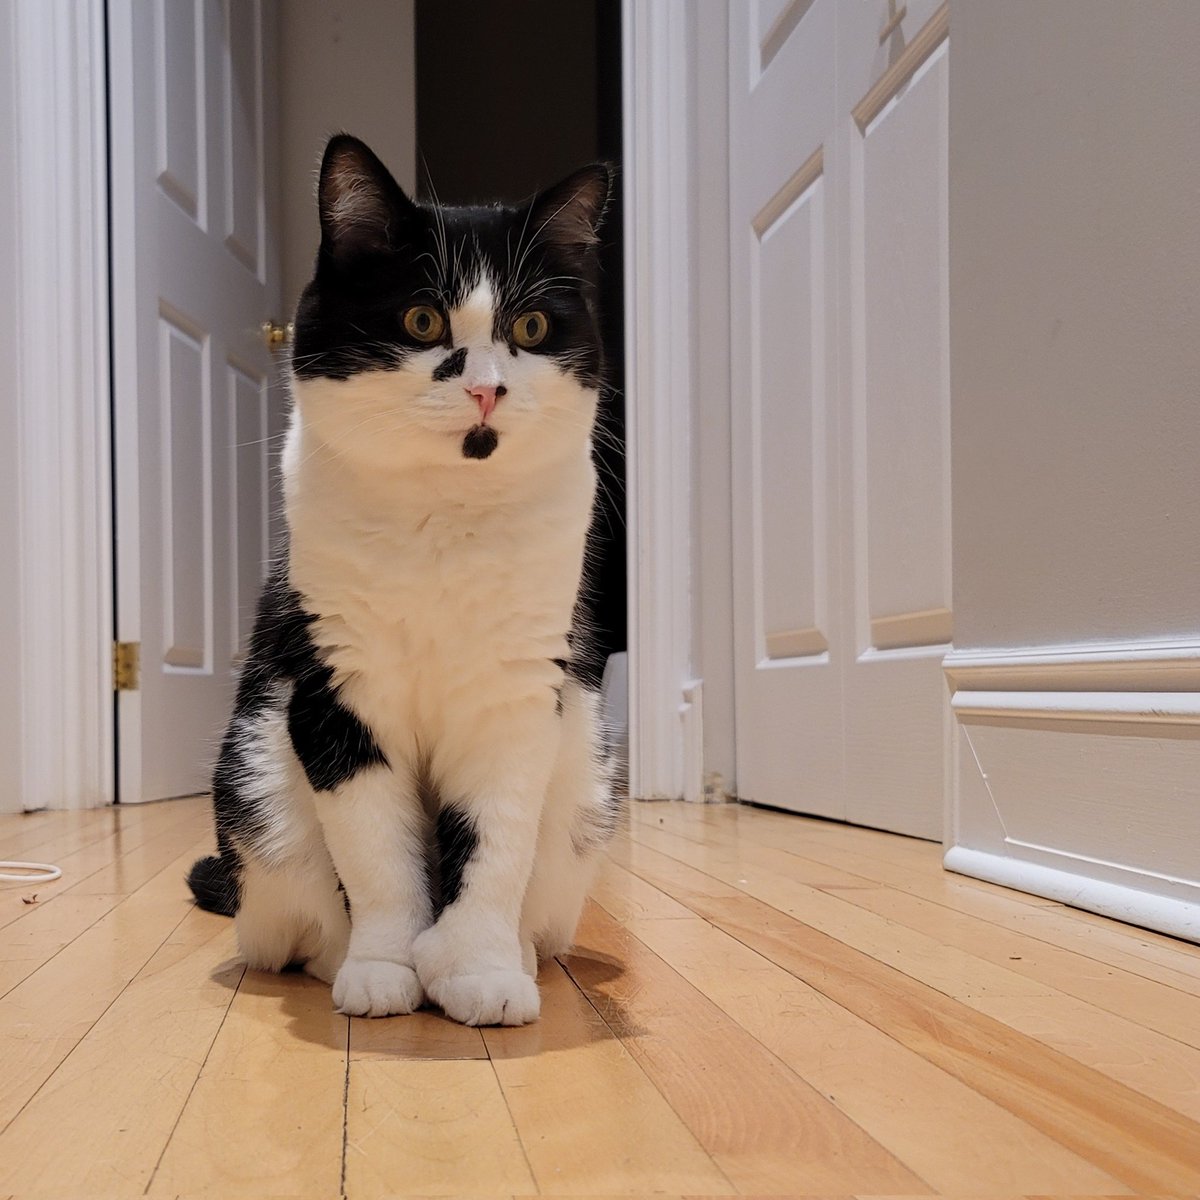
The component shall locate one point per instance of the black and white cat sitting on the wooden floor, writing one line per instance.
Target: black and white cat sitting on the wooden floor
(412, 793)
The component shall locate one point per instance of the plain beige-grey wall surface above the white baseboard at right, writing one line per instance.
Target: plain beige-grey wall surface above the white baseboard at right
(1076, 320)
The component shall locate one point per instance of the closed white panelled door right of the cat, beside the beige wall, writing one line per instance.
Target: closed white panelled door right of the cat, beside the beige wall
(838, 142)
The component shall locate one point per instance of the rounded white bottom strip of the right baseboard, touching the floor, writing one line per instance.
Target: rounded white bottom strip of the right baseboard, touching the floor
(1167, 915)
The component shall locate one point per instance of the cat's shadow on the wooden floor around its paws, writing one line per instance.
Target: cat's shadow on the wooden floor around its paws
(579, 1009)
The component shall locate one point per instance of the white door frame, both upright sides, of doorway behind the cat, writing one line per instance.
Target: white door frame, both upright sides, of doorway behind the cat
(62, 285)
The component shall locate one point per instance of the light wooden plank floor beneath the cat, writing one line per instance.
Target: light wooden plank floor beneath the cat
(760, 1005)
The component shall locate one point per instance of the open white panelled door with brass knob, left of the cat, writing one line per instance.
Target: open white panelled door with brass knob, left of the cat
(195, 278)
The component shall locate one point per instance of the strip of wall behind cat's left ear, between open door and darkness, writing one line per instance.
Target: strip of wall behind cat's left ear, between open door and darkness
(346, 65)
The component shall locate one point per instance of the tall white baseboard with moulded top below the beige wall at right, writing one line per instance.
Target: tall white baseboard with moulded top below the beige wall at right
(1079, 777)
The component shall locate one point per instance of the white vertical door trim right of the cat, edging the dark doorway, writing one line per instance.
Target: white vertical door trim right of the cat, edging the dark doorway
(659, 392)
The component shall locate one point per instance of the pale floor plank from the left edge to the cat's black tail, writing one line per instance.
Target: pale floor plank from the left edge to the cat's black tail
(45, 1017)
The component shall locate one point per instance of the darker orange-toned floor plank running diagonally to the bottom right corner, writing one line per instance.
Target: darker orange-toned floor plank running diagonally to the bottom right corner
(1144, 1144)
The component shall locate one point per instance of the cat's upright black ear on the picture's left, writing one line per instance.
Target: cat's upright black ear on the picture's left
(363, 209)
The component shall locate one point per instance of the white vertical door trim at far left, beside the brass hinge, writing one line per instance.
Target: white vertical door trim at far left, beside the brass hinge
(61, 301)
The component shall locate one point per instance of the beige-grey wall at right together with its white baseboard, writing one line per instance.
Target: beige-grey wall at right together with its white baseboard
(1076, 391)
